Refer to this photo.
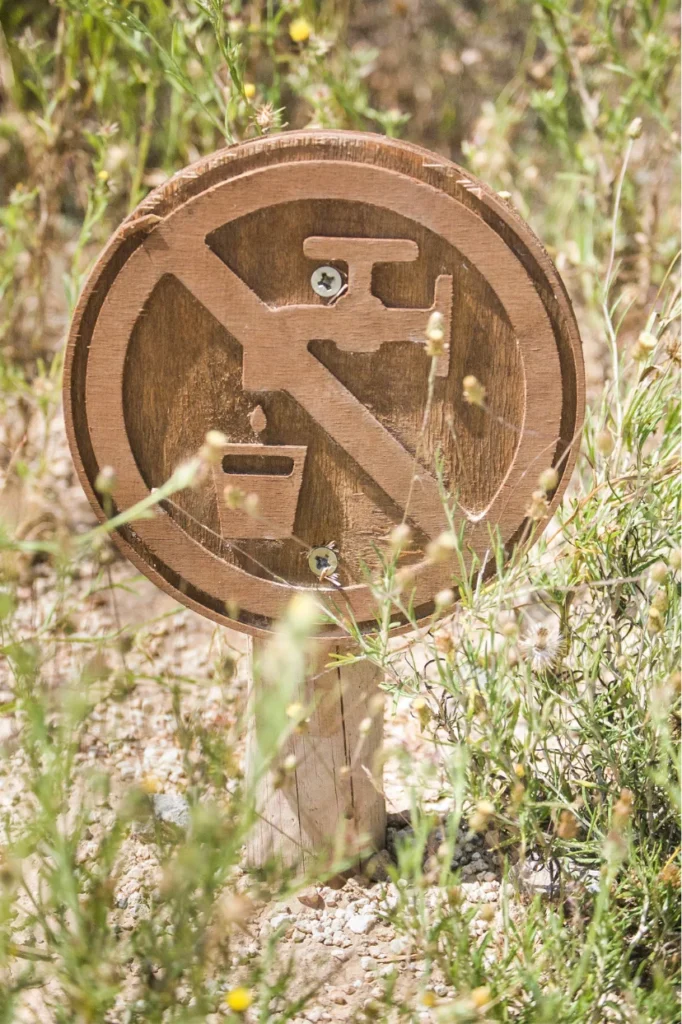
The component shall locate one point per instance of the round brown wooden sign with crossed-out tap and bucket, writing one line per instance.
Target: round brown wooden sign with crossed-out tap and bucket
(280, 292)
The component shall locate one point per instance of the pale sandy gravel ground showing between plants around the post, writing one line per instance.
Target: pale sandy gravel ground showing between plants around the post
(342, 936)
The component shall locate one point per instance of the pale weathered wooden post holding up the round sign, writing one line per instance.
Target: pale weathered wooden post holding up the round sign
(330, 804)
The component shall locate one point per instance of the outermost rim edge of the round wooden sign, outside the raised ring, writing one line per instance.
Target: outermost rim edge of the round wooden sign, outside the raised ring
(197, 180)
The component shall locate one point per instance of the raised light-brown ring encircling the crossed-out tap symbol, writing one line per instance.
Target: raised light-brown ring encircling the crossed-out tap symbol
(529, 318)
